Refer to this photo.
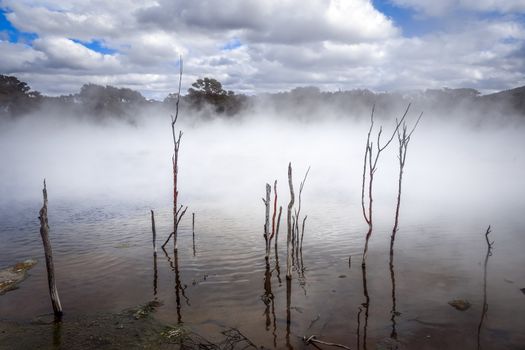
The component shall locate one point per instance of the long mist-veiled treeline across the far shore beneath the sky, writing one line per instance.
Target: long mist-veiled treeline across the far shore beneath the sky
(206, 98)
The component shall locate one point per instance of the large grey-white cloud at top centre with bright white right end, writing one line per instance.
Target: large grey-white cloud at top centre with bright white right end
(275, 21)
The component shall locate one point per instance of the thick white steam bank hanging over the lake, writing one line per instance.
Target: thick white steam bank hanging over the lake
(225, 163)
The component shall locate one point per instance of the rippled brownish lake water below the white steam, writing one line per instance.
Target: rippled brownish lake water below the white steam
(218, 281)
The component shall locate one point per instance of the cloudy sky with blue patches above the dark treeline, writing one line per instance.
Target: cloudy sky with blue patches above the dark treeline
(272, 45)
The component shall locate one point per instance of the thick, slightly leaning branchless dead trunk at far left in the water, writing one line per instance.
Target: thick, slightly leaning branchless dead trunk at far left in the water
(44, 232)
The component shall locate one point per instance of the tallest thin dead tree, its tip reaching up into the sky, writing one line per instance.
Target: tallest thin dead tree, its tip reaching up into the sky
(178, 213)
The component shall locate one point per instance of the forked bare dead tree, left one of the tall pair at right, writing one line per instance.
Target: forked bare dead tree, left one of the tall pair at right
(370, 163)
